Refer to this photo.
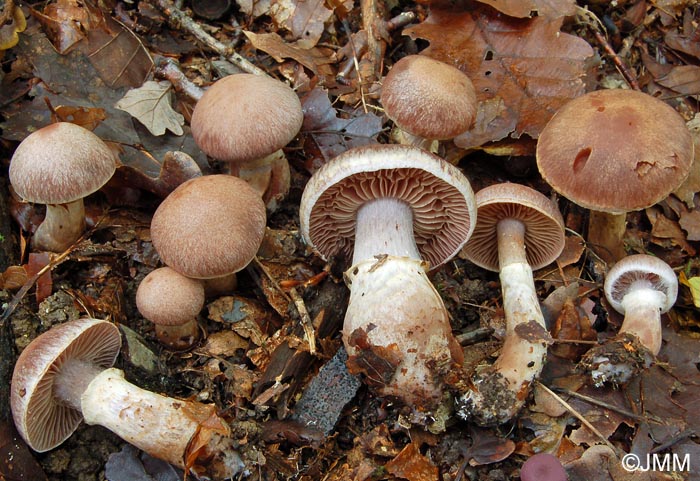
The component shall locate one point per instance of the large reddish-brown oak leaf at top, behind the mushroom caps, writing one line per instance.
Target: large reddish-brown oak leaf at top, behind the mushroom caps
(523, 70)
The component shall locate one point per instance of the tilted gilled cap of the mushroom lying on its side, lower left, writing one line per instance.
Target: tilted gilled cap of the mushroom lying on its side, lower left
(42, 422)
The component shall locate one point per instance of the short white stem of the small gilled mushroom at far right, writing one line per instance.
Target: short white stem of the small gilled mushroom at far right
(642, 307)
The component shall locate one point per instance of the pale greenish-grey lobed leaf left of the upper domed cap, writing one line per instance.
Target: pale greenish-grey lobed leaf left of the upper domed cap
(150, 105)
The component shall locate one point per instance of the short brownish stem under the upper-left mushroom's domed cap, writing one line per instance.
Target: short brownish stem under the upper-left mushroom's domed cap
(62, 226)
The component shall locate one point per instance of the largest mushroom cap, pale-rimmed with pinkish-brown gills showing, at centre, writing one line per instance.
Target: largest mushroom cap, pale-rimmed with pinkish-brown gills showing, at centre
(438, 193)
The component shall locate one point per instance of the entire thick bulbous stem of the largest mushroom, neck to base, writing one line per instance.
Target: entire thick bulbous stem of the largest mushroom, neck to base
(396, 329)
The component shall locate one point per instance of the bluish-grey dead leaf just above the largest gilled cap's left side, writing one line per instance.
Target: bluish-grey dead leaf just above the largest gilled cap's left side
(328, 134)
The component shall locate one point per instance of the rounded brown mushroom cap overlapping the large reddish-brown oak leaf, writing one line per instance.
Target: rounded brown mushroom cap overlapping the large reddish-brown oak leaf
(429, 98)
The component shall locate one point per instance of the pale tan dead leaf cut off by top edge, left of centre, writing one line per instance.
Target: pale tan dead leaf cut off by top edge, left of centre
(305, 19)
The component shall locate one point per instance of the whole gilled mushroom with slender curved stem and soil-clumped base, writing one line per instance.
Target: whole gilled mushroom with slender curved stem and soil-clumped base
(518, 230)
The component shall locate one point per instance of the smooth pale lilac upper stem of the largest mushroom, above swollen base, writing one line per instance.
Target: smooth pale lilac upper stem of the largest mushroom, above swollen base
(384, 226)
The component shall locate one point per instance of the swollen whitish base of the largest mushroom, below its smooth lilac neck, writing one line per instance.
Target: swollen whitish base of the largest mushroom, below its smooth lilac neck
(397, 332)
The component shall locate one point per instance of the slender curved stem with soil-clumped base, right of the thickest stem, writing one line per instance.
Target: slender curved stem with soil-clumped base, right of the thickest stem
(501, 389)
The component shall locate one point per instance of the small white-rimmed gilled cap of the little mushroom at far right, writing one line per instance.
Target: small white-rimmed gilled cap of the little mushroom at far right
(621, 279)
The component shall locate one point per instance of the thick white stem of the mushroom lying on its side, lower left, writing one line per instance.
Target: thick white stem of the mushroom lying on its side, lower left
(184, 433)
